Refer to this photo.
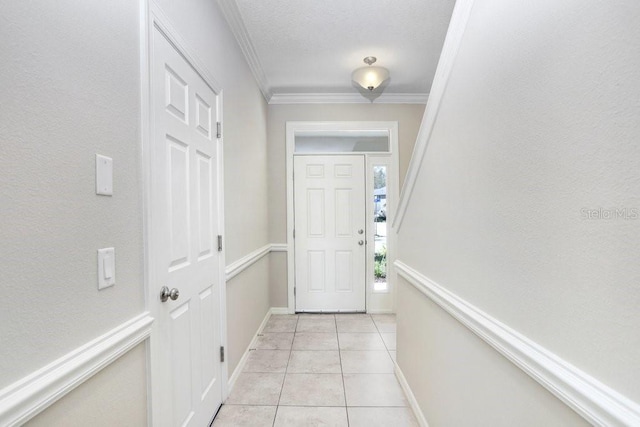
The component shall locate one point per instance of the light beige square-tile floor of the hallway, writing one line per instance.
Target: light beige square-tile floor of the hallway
(320, 370)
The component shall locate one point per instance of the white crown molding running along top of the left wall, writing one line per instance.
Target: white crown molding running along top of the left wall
(234, 19)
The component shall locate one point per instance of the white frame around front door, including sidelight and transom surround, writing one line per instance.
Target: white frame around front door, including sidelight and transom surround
(392, 128)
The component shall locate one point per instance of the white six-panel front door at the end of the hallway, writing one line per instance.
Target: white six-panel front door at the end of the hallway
(330, 233)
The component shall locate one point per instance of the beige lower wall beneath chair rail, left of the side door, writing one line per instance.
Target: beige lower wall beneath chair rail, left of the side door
(115, 396)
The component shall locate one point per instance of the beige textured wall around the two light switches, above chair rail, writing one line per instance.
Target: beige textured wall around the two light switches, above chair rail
(70, 89)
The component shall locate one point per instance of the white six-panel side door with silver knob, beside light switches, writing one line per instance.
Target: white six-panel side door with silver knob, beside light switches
(185, 362)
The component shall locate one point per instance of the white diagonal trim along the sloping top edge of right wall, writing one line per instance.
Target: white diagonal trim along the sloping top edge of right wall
(455, 33)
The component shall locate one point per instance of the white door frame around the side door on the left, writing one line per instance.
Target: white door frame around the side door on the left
(152, 18)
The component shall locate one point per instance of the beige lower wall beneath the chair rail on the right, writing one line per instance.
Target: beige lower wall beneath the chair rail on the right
(460, 380)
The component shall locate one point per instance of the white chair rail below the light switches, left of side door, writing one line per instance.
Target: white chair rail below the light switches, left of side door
(27, 397)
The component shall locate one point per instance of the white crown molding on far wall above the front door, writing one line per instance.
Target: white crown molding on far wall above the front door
(347, 98)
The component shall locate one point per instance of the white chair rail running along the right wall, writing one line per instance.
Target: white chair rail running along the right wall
(596, 402)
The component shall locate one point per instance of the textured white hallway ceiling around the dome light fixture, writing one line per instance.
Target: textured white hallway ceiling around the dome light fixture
(311, 46)
